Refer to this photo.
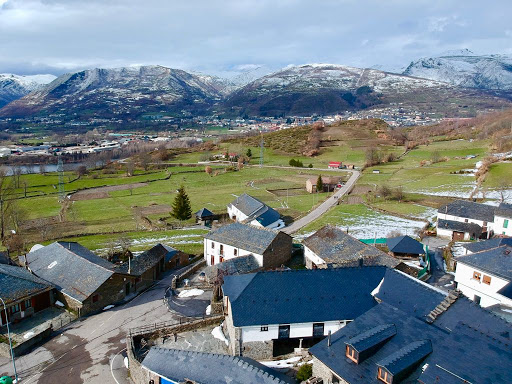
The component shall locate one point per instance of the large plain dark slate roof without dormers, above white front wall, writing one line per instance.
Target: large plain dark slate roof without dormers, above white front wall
(301, 296)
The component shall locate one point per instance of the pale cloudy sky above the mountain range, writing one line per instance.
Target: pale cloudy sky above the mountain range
(226, 37)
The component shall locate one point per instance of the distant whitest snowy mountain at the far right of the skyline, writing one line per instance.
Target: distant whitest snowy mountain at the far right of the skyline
(466, 69)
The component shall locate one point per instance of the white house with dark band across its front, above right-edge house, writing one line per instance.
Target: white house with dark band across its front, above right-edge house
(465, 220)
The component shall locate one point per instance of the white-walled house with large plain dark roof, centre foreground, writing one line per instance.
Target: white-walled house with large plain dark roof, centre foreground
(268, 313)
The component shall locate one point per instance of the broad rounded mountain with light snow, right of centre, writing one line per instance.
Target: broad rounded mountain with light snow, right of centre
(331, 88)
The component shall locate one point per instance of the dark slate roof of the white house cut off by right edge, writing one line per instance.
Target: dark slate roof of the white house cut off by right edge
(496, 261)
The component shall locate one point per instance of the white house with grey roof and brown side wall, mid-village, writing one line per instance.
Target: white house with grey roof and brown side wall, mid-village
(270, 248)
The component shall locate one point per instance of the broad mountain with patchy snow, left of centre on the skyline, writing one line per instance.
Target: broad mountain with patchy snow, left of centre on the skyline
(127, 91)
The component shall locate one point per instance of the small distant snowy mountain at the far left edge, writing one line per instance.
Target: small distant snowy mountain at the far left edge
(12, 87)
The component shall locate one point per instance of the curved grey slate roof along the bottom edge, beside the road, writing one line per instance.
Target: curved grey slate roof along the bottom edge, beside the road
(177, 365)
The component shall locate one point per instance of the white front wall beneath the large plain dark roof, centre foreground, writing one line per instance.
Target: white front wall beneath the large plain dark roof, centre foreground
(298, 330)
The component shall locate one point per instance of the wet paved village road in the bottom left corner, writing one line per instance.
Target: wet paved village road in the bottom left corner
(84, 351)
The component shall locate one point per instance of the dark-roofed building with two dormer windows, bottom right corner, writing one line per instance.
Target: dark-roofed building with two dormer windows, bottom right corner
(417, 333)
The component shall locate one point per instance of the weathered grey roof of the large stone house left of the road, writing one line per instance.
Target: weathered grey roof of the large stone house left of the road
(73, 269)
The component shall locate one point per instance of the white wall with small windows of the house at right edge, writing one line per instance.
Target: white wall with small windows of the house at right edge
(471, 287)
